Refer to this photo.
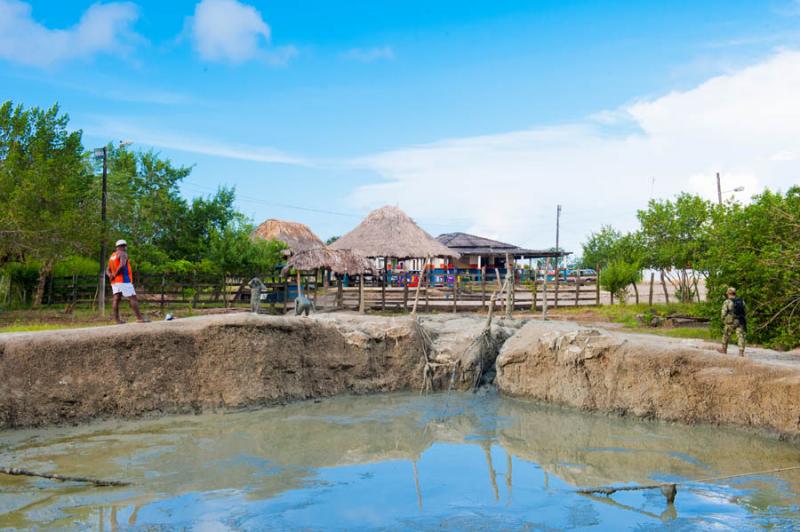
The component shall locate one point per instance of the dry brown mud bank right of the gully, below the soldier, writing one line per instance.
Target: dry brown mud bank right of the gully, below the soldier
(649, 377)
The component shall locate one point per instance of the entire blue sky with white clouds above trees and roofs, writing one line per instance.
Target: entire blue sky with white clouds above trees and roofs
(447, 109)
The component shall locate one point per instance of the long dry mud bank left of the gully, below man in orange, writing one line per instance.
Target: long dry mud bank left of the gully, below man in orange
(220, 361)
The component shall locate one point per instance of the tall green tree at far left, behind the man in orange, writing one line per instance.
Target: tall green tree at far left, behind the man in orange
(46, 187)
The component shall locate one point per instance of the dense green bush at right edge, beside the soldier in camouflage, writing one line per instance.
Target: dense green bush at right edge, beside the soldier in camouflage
(756, 248)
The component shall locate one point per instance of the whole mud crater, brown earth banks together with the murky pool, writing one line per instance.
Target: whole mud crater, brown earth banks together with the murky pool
(265, 444)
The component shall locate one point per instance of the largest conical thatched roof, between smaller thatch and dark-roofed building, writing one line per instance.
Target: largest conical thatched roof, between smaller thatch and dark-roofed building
(389, 232)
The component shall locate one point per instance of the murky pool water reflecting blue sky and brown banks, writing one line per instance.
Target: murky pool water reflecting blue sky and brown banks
(344, 462)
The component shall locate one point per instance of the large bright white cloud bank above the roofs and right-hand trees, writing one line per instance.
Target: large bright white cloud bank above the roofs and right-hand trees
(745, 124)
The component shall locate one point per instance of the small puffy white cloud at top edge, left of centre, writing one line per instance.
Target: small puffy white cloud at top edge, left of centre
(230, 31)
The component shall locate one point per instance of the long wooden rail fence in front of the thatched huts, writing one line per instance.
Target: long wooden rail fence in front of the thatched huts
(198, 290)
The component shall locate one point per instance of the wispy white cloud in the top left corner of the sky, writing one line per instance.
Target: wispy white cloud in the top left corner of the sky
(103, 28)
